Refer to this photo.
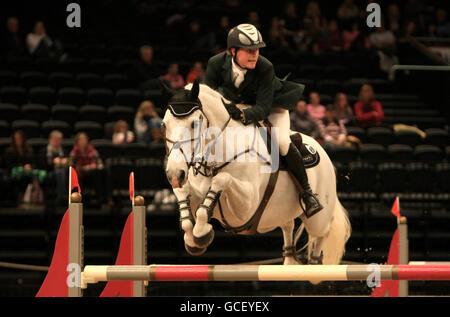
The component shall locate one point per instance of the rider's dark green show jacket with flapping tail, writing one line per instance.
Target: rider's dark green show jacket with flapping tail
(260, 88)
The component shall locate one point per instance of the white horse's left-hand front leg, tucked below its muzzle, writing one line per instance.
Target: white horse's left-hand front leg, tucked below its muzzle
(186, 202)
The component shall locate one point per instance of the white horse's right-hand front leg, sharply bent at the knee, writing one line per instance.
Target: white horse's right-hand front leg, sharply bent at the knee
(222, 182)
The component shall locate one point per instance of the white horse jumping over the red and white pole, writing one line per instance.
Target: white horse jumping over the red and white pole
(238, 186)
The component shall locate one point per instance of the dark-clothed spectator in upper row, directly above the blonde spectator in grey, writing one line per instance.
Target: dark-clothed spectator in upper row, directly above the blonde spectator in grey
(145, 71)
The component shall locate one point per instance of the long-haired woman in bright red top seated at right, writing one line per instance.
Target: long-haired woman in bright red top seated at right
(369, 111)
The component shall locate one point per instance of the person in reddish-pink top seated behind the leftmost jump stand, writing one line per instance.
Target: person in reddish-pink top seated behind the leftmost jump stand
(88, 165)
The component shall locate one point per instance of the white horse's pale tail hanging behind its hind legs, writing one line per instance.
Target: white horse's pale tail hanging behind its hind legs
(334, 244)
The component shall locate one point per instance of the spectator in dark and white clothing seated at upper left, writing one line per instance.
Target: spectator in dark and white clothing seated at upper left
(39, 44)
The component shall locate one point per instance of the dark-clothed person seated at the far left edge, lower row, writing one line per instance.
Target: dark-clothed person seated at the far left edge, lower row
(20, 162)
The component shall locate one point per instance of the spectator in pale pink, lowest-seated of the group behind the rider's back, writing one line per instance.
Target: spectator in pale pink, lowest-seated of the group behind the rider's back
(332, 130)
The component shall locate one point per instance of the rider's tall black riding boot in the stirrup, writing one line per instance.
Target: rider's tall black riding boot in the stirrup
(295, 164)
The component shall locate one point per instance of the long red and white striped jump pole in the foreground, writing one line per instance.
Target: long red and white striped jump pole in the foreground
(94, 273)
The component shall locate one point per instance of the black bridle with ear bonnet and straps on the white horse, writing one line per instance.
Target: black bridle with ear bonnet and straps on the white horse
(201, 166)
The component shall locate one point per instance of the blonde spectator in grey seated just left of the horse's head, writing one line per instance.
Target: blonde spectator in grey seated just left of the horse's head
(146, 118)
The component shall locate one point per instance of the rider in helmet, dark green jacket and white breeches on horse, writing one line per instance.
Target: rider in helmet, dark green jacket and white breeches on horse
(241, 75)
